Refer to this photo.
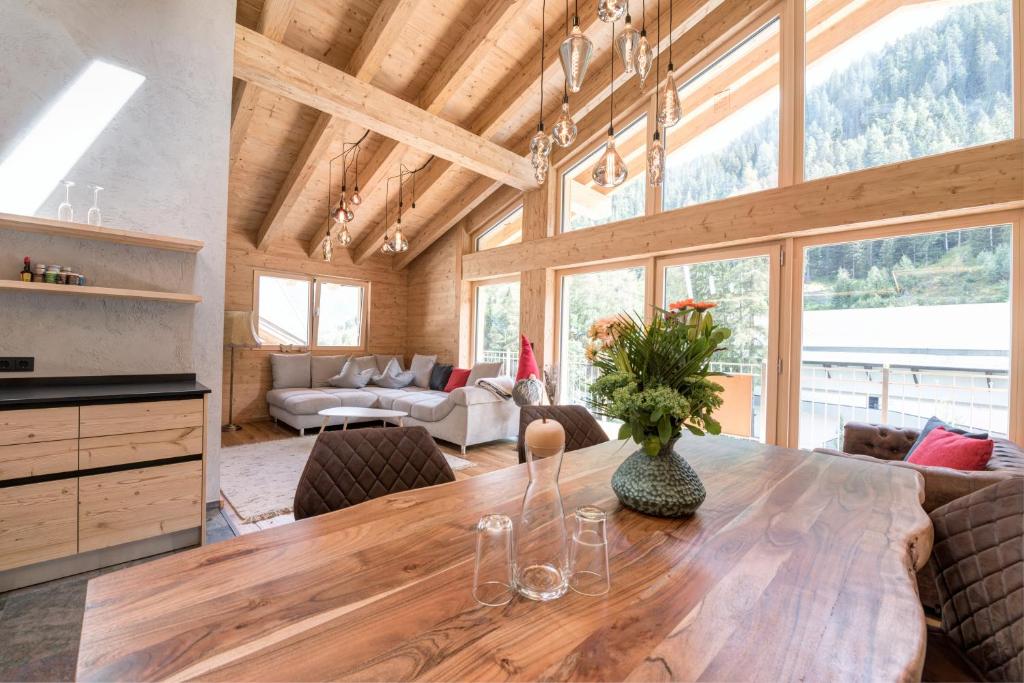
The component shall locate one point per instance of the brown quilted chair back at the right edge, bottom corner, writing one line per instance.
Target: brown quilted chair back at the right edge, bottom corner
(978, 561)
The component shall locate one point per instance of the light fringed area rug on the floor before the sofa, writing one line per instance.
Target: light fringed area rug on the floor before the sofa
(260, 480)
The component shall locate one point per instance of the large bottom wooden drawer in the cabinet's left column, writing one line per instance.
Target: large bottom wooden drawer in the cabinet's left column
(38, 523)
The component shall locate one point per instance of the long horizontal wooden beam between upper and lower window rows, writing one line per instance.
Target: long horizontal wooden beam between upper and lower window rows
(904, 192)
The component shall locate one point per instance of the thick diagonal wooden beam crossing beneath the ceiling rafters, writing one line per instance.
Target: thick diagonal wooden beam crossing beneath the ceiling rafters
(289, 73)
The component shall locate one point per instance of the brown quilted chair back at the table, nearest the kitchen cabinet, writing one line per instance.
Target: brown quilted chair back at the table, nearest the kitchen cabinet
(350, 467)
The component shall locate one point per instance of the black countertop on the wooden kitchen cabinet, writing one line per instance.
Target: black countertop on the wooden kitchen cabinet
(58, 392)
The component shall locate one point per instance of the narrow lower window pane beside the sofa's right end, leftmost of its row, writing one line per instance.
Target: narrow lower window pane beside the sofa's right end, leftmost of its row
(497, 325)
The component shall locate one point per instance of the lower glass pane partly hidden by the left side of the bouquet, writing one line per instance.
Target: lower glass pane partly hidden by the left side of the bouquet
(586, 298)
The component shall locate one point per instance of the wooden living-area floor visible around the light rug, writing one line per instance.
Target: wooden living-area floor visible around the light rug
(487, 458)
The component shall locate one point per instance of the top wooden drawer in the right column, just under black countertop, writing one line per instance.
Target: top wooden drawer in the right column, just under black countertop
(145, 417)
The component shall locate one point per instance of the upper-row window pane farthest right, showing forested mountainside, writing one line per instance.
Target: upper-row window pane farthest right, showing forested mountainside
(891, 80)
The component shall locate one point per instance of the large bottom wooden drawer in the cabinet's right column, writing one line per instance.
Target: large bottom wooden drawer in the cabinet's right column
(121, 507)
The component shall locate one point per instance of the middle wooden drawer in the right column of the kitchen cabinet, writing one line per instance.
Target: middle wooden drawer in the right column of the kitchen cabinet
(123, 449)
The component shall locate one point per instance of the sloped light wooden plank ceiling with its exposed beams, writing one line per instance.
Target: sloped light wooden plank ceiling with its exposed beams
(466, 75)
